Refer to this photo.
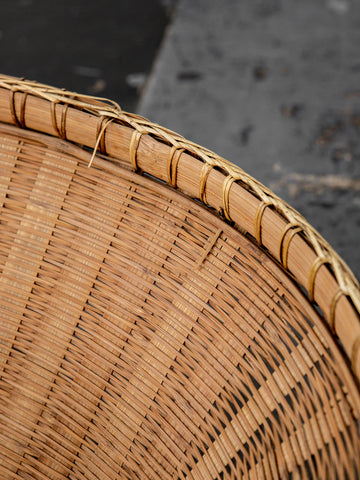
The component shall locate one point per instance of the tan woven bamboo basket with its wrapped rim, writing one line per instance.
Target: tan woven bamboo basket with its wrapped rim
(162, 314)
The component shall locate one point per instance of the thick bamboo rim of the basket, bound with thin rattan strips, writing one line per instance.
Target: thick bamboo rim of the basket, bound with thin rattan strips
(252, 208)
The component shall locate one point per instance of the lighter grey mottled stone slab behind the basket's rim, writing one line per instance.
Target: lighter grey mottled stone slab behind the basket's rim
(273, 86)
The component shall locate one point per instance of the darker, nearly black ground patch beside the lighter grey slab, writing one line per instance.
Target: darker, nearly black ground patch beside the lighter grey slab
(103, 48)
